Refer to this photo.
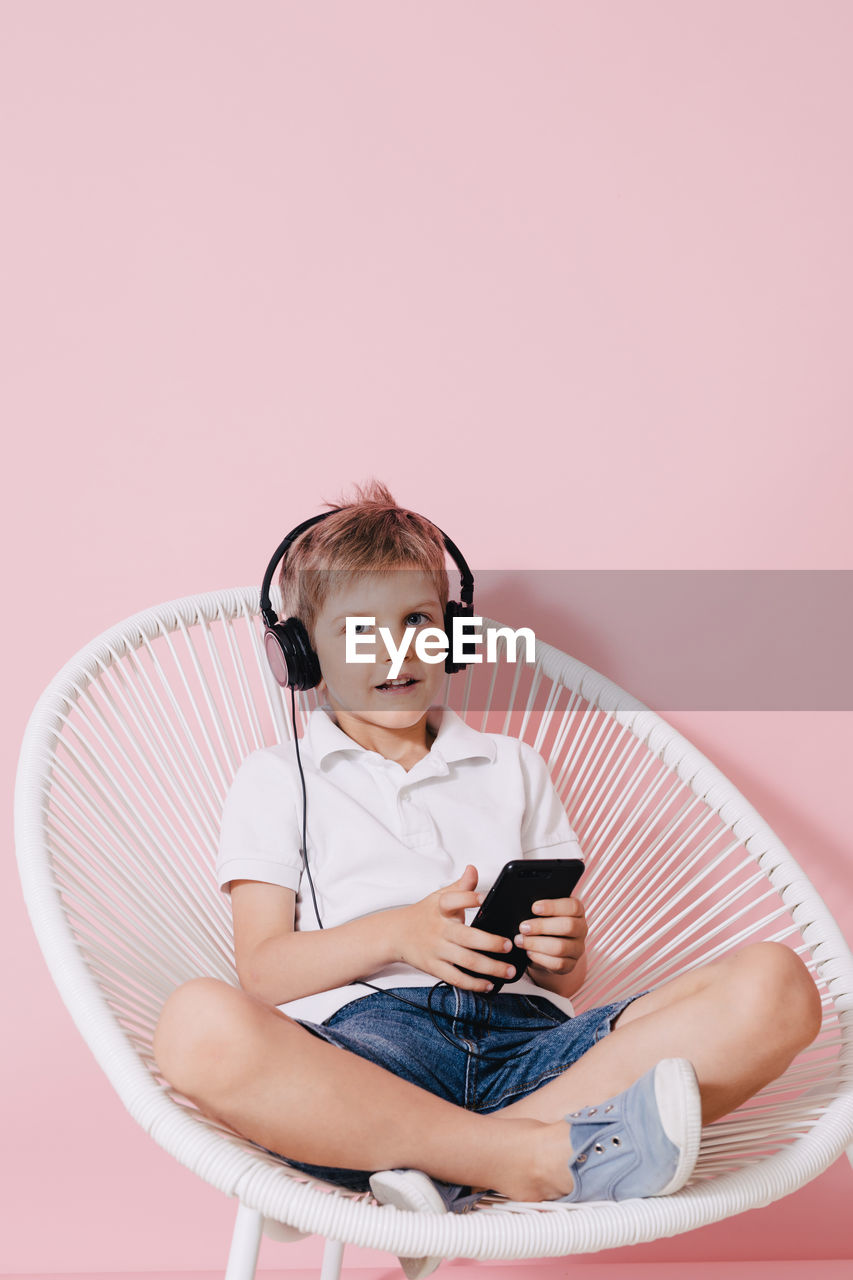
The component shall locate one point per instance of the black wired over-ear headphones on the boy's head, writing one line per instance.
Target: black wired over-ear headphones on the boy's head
(289, 648)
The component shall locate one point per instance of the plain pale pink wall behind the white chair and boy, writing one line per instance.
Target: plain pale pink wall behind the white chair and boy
(572, 278)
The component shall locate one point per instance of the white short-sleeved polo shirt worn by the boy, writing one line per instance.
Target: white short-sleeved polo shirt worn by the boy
(381, 838)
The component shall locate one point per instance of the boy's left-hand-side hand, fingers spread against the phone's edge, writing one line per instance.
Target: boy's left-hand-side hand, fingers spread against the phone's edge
(434, 938)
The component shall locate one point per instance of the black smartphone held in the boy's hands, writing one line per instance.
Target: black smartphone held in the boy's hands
(519, 885)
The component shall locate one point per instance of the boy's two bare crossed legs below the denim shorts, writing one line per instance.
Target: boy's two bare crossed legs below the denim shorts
(740, 1021)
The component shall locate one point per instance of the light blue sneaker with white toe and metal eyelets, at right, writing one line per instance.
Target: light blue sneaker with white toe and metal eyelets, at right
(642, 1142)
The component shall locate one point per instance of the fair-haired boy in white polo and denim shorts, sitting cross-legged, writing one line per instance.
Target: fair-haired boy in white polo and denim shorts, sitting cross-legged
(413, 812)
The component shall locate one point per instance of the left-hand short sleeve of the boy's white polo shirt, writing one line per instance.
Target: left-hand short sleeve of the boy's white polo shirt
(259, 835)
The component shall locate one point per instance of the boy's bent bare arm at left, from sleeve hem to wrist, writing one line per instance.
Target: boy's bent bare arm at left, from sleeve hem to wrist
(279, 963)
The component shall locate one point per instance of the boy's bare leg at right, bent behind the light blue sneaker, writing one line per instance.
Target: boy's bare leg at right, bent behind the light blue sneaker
(741, 1022)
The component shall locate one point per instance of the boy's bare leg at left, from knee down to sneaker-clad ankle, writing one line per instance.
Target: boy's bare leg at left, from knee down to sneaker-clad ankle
(249, 1066)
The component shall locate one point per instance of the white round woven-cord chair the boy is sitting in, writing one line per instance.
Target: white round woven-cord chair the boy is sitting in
(124, 770)
